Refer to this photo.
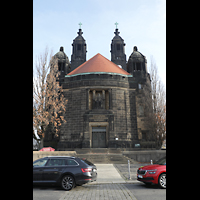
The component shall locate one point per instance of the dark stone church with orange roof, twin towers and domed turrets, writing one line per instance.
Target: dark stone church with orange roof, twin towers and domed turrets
(106, 98)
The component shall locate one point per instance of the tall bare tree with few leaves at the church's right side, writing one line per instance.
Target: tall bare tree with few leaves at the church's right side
(153, 100)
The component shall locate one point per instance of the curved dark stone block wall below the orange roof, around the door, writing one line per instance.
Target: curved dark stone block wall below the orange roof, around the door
(118, 117)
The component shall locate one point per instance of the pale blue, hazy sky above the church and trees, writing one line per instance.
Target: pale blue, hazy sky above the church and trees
(142, 23)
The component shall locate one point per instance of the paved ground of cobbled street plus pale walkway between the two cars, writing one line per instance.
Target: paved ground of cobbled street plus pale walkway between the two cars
(111, 184)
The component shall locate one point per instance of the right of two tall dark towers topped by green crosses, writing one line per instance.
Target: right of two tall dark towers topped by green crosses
(118, 55)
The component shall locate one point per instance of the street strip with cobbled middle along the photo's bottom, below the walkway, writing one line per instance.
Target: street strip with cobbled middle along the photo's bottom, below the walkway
(111, 191)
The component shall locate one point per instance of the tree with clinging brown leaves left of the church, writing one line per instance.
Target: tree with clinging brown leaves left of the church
(48, 101)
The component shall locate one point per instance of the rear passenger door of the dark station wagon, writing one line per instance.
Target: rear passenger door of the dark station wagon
(53, 169)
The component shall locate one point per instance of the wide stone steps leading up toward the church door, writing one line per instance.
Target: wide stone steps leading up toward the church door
(104, 156)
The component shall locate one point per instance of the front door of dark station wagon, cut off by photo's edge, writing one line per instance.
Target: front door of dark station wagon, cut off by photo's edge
(38, 167)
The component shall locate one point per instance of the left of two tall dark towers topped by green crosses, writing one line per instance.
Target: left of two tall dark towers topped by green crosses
(78, 56)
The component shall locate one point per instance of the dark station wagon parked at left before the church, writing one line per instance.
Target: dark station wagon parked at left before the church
(65, 171)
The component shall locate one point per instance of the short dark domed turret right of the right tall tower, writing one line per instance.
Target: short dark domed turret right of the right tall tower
(136, 62)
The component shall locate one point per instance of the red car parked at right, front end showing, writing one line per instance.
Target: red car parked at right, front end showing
(155, 173)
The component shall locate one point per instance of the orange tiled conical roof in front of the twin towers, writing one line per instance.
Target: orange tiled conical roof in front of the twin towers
(98, 63)
